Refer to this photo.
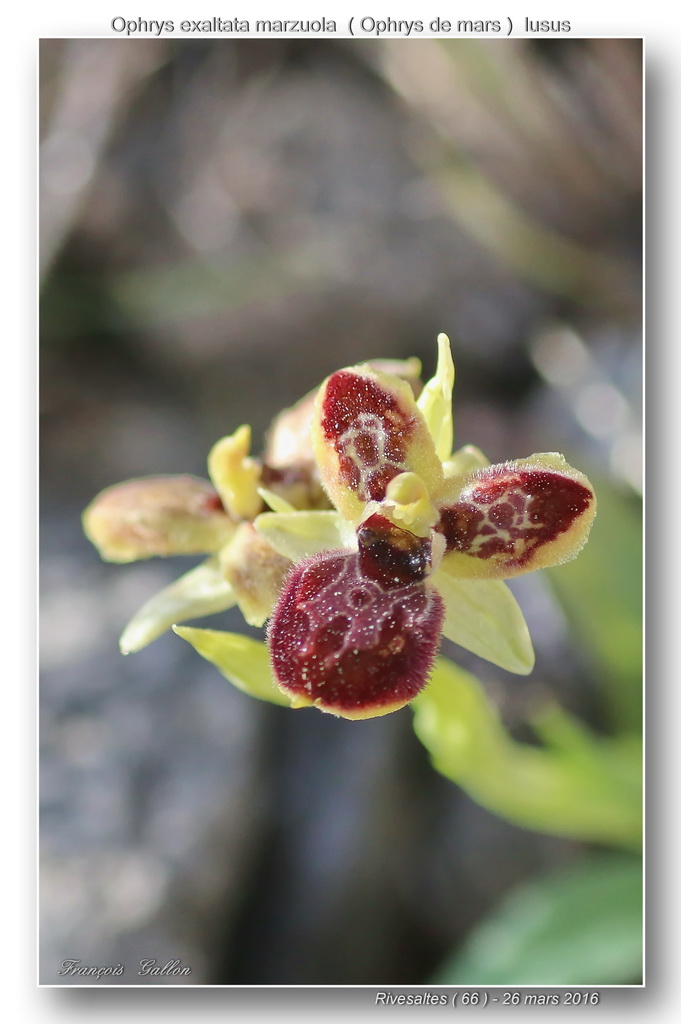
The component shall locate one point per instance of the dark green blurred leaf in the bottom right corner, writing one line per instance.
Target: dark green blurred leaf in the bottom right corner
(580, 927)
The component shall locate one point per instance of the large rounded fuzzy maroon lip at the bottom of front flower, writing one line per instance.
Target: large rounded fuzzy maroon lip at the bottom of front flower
(338, 637)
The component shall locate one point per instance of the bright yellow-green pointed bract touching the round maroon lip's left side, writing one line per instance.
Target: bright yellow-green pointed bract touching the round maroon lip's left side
(245, 663)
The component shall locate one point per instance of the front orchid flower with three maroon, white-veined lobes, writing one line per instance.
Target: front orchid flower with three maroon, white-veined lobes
(419, 545)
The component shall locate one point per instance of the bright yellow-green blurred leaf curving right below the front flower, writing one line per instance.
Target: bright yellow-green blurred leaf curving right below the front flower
(581, 786)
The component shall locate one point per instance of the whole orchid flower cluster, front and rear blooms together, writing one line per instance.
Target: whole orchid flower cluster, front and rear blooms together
(417, 545)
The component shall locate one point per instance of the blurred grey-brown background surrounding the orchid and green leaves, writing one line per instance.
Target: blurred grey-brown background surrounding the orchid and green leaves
(223, 225)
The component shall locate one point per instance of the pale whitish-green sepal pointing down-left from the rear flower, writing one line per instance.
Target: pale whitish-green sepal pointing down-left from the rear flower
(202, 591)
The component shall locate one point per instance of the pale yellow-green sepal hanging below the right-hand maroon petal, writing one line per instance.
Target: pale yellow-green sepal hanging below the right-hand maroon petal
(484, 617)
